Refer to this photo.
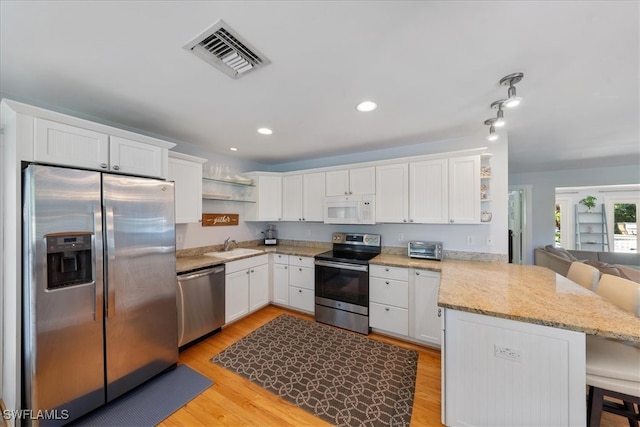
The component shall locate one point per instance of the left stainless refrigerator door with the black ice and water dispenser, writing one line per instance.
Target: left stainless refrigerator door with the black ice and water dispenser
(63, 318)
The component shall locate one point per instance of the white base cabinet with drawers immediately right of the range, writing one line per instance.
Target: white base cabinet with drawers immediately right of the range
(389, 299)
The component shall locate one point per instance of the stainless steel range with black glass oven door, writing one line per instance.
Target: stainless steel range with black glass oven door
(342, 281)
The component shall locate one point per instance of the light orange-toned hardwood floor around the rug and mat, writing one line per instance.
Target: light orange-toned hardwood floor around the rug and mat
(235, 401)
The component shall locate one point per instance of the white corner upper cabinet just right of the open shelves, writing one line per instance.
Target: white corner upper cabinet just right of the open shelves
(268, 205)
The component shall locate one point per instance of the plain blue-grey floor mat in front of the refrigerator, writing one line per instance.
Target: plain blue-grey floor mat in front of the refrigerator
(150, 403)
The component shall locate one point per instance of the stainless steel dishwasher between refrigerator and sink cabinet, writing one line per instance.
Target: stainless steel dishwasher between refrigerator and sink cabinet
(200, 303)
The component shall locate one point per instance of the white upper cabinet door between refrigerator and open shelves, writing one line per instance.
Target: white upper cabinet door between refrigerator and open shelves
(187, 176)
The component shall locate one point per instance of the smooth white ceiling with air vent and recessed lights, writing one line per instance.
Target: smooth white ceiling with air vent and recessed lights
(433, 67)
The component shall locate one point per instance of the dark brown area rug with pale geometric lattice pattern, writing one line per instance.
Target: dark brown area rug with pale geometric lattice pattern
(339, 376)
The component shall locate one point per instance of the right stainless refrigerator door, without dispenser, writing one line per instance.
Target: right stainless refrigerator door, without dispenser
(140, 319)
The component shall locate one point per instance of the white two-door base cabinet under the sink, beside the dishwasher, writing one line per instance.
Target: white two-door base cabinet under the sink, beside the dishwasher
(246, 286)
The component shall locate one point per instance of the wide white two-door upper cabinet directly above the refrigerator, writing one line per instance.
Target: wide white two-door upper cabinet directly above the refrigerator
(63, 144)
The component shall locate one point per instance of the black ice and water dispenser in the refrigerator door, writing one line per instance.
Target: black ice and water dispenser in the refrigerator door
(69, 259)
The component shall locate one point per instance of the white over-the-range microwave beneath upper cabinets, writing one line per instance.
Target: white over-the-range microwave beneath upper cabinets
(358, 209)
